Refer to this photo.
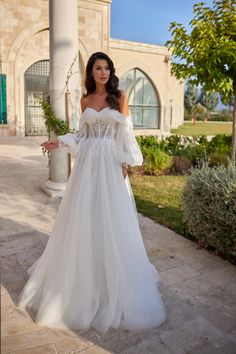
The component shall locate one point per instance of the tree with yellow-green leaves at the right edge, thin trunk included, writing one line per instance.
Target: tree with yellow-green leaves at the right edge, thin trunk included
(208, 54)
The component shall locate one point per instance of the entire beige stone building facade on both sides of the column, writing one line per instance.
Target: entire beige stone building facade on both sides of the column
(25, 40)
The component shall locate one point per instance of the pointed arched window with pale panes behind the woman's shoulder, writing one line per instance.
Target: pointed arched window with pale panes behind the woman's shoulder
(143, 100)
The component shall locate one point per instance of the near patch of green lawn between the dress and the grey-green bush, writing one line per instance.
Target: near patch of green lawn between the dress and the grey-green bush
(159, 198)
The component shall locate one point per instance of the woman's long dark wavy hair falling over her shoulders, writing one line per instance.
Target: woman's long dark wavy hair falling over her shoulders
(112, 84)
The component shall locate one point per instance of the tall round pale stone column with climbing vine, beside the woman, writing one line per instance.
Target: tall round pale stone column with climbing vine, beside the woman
(64, 77)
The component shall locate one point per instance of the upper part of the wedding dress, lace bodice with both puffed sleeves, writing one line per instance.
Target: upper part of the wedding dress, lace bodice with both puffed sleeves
(103, 132)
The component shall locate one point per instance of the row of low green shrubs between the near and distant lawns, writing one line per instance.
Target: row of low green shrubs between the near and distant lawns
(186, 151)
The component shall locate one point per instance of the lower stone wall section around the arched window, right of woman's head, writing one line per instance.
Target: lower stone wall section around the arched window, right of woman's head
(154, 61)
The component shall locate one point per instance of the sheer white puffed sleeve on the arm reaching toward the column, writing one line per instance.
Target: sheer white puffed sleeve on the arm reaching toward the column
(73, 140)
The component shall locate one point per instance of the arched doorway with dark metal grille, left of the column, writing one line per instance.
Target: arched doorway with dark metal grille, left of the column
(36, 80)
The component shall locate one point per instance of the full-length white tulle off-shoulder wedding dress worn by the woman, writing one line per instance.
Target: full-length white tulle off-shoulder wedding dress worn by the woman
(94, 270)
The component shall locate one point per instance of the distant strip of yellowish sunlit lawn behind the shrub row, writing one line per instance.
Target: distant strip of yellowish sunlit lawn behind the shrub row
(203, 128)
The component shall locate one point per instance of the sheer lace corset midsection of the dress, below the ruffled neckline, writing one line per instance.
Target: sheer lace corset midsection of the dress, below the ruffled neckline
(102, 130)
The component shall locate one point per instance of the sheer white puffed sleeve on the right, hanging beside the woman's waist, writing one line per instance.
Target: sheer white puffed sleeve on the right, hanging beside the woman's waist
(127, 147)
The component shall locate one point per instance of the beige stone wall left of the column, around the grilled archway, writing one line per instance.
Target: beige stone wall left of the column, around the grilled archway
(21, 21)
